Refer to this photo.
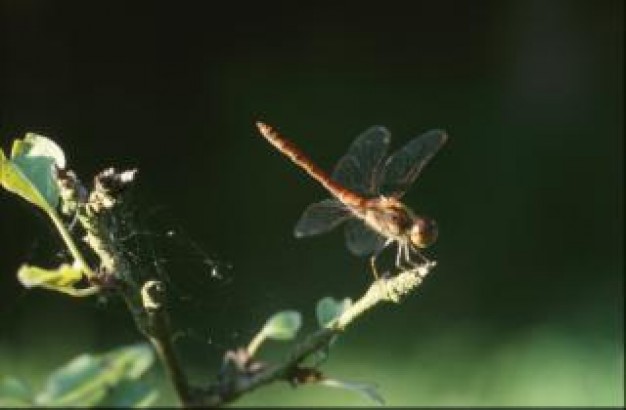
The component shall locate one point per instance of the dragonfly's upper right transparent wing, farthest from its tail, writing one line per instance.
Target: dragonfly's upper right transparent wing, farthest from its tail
(403, 167)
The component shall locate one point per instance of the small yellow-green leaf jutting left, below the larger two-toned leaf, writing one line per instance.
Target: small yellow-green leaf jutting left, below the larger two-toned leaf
(62, 279)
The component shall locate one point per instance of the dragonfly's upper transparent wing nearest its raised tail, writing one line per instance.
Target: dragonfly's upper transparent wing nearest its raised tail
(358, 169)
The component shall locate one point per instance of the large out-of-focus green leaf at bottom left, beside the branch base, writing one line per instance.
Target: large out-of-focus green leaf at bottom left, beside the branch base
(111, 379)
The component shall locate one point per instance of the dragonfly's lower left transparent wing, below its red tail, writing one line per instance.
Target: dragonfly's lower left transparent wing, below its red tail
(321, 217)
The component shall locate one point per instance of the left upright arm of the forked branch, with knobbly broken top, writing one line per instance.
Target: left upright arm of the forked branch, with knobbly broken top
(97, 215)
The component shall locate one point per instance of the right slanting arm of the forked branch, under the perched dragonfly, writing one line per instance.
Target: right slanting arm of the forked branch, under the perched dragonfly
(234, 385)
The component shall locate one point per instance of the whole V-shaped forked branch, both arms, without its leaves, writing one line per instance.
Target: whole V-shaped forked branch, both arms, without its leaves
(241, 373)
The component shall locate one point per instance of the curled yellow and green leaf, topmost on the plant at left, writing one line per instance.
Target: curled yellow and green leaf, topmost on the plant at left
(30, 171)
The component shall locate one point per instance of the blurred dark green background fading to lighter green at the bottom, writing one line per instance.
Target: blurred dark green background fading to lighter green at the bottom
(525, 306)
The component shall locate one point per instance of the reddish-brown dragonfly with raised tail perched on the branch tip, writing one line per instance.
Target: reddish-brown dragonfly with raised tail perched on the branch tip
(367, 186)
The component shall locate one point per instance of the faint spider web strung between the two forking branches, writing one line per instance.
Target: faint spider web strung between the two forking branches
(199, 284)
